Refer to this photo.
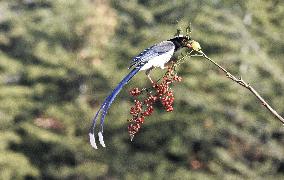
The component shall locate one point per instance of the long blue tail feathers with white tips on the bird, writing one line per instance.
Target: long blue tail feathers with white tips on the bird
(104, 109)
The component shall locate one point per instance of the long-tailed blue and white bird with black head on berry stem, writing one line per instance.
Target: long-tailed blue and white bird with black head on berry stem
(157, 55)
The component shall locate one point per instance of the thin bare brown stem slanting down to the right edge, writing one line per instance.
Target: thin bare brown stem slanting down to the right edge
(241, 82)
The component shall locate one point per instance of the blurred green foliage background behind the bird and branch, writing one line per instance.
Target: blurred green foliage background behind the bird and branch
(59, 60)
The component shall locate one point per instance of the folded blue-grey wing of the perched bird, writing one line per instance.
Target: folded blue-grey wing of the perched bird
(151, 52)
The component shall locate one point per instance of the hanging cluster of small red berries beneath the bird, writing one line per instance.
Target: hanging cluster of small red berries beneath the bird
(162, 92)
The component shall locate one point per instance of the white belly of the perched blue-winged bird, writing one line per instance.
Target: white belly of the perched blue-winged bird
(158, 61)
